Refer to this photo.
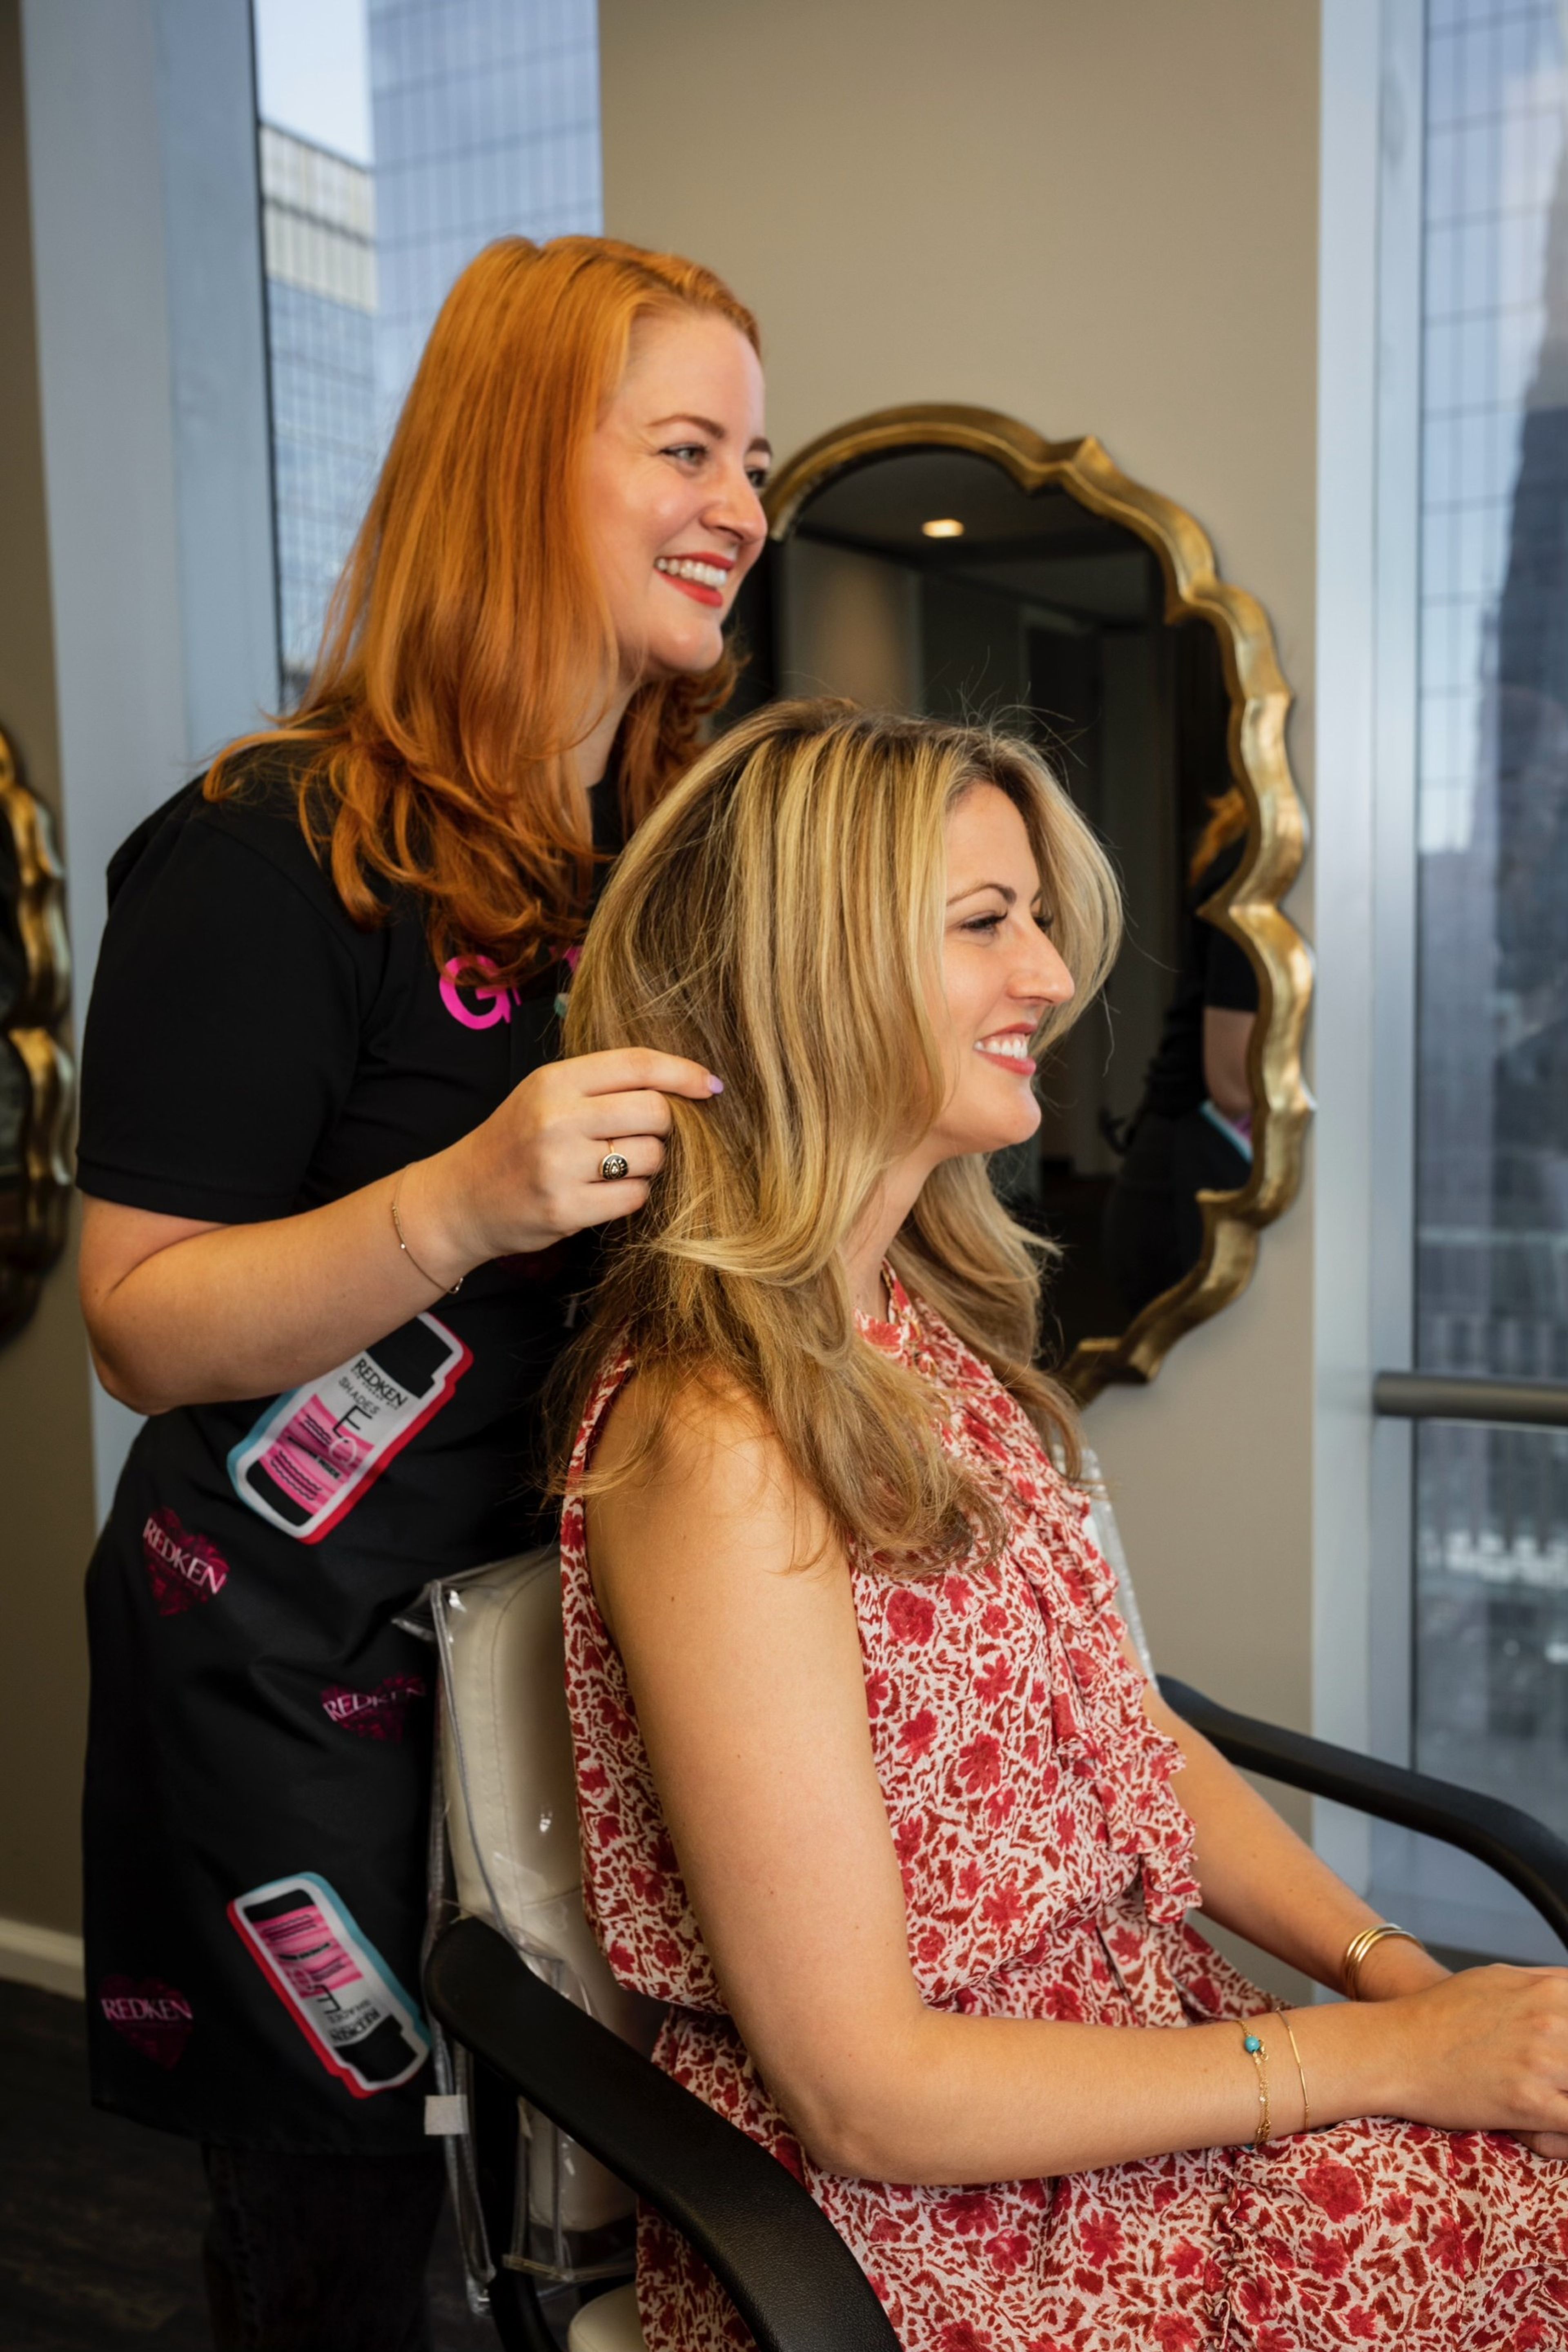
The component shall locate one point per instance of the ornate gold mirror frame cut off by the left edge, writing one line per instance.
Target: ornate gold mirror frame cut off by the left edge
(36, 1201)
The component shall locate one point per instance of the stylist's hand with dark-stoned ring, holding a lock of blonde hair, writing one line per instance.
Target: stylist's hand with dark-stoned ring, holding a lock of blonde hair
(530, 1175)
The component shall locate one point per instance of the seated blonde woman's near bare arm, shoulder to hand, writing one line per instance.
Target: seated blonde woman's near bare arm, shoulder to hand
(749, 1681)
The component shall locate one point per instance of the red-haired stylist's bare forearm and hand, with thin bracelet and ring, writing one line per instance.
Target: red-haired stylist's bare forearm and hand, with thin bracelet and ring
(189, 1314)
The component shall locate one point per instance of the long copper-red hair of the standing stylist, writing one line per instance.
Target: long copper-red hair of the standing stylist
(448, 693)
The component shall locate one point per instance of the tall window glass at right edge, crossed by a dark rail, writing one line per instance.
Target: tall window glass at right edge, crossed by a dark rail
(1492, 1276)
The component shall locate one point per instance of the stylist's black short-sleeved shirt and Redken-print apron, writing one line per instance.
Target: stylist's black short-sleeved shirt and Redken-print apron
(260, 1744)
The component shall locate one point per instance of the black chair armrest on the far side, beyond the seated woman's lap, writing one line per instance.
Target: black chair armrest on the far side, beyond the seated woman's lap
(1501, 1836)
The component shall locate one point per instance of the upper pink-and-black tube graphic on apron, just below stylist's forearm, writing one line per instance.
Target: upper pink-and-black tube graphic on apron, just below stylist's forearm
(319, 1450)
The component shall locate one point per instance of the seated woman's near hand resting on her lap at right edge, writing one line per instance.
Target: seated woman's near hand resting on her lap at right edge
(1489, 2052)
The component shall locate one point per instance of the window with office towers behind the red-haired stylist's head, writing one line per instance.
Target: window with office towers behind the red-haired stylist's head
(396, 140)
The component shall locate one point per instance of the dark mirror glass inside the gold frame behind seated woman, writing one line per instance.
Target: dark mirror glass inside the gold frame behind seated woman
(932, 582)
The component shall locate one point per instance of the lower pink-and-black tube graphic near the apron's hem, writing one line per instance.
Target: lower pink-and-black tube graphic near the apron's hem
(344, 1998)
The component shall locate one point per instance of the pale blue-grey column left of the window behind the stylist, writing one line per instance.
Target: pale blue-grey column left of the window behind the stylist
(152, 361)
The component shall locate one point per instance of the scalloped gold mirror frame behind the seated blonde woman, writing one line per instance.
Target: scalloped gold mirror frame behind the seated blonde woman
(1278, 827)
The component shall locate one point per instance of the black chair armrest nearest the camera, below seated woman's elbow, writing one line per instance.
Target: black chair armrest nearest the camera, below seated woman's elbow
(777, 2254)
